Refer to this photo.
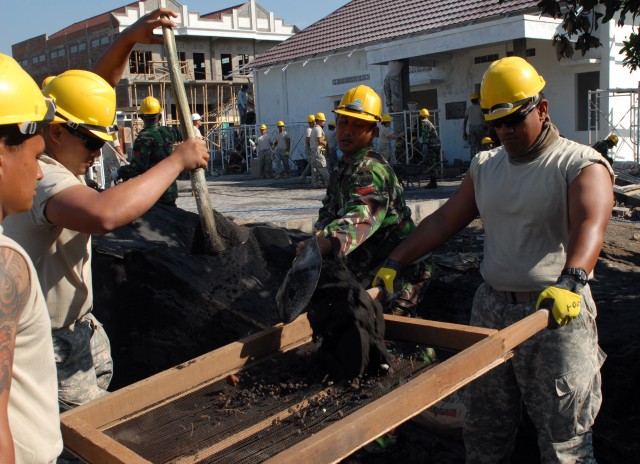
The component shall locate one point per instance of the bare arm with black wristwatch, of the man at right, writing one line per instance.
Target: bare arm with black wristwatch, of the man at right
(590, 203)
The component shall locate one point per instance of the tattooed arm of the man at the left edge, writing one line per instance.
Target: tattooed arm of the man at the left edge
(14, 289)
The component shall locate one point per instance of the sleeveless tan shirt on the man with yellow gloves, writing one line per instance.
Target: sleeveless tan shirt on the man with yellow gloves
(524, 210)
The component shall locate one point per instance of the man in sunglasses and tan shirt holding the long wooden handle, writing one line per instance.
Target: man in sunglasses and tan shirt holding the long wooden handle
(56, 232)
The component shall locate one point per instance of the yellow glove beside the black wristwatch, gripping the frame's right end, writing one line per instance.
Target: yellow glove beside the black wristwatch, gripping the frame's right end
(563, 298)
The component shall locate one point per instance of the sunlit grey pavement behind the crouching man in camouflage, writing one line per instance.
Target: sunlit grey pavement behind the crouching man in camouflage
(289, 202)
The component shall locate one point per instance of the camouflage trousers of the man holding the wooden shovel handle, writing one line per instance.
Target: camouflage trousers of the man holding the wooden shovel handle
(83, 362)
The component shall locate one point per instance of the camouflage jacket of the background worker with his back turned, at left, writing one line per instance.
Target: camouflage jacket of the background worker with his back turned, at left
(153, 144)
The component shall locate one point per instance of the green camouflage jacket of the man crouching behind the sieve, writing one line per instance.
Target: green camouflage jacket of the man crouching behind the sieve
(364, 209)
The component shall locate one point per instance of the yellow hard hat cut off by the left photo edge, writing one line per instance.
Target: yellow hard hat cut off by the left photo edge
(22, 100)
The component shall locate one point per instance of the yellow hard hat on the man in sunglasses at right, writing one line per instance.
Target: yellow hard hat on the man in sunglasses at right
(508, 84)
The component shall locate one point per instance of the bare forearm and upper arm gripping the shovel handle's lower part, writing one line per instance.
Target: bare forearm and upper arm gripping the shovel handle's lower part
(83, 209)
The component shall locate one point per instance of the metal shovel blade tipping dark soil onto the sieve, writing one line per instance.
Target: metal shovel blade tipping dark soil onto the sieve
(300, 282)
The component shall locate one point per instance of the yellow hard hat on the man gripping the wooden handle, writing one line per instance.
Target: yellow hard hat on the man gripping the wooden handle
(84, 99)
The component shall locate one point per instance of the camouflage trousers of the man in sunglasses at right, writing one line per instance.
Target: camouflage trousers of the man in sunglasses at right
(555, 373)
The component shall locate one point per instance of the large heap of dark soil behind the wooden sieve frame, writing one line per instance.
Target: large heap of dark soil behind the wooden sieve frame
(163, 302)
